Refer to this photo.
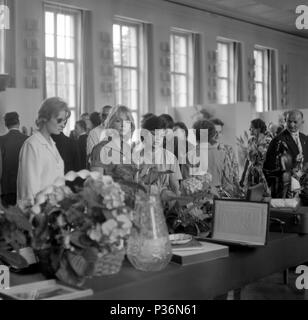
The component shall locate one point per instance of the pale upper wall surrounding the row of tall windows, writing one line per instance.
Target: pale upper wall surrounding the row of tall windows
(292, 50)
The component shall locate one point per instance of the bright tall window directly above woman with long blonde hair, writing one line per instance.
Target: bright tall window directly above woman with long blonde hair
(127, 65)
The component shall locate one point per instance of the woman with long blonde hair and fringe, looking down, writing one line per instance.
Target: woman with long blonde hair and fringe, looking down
(115, 146)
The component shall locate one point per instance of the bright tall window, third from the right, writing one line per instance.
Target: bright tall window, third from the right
(181, 69)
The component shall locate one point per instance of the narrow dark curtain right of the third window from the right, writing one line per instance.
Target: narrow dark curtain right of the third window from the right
(197, 69)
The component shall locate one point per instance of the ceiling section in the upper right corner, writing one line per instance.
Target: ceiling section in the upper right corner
(275, 14)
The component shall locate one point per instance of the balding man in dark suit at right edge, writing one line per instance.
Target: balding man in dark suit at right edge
(286, 154)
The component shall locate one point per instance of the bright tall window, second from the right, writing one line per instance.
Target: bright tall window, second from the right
(225, 72)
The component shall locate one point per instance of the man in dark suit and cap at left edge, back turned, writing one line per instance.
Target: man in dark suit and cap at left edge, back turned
(10, 145)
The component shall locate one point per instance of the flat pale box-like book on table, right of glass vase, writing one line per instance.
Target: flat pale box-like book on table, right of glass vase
(195, 252)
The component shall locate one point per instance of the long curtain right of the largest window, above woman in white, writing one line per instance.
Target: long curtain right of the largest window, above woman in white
(86, 81)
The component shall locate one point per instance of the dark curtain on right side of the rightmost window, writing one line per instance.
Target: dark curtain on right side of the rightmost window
(272, 79)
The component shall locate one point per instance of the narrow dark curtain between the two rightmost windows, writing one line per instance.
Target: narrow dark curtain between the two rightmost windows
(238, 72)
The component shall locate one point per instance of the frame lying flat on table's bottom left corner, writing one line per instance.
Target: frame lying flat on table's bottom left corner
(44, 290)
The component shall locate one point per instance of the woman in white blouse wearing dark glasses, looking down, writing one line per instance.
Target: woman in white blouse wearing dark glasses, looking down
(40, 163)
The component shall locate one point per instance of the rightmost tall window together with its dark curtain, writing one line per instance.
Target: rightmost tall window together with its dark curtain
(265, 78)
